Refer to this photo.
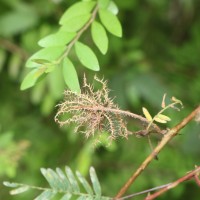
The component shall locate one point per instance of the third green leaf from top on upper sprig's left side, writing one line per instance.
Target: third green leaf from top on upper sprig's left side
(61, 38)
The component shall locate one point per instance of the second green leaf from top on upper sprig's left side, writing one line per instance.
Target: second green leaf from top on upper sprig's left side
(75, 23)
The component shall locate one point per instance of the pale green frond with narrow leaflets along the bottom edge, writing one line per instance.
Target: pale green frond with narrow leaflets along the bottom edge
(64, 183)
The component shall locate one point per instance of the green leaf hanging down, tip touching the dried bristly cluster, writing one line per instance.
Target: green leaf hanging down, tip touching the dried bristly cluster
(70, 76)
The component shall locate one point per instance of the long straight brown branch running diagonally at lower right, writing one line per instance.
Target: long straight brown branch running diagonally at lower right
(166, 138)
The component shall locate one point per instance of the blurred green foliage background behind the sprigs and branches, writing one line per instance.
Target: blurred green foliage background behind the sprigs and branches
(159, 53)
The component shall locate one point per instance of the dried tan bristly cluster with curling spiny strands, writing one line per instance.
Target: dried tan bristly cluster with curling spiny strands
(92, 111)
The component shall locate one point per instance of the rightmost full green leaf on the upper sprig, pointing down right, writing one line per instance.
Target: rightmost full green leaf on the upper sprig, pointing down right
(111, 22)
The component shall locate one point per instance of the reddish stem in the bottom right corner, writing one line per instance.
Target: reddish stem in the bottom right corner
(189, 176)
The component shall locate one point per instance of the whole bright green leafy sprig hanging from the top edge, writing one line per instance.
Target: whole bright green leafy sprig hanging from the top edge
(56, 47)
